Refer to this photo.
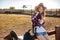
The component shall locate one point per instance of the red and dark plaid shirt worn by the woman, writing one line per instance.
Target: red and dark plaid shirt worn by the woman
(35, 20)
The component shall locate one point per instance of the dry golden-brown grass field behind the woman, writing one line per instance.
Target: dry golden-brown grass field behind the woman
(21, 23)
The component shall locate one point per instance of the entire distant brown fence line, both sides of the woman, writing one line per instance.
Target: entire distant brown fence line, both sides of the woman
(49, 12)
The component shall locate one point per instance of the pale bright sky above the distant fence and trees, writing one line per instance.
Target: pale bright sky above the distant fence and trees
(29, 3)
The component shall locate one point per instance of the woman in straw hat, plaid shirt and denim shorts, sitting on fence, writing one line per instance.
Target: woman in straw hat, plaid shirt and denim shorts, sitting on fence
(38, 22)
